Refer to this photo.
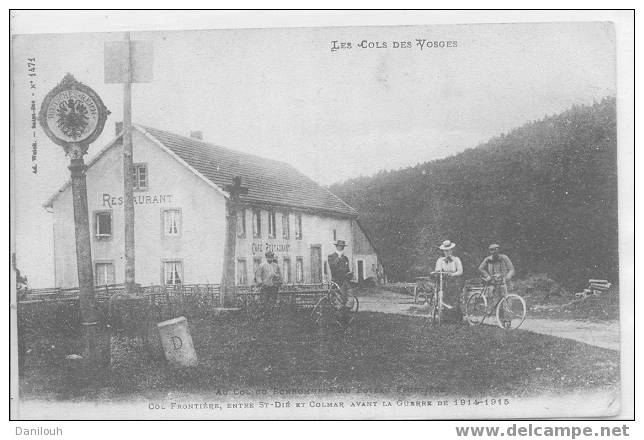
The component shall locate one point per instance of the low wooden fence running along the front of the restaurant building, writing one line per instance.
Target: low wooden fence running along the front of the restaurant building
(43, 311)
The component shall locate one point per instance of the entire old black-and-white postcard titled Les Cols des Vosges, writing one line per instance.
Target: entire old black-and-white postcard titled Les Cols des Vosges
(336, 222)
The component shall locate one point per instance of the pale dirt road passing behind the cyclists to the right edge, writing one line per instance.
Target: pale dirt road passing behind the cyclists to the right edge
(600, 334)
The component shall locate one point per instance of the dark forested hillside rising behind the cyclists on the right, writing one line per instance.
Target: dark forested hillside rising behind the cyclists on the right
(546, 192)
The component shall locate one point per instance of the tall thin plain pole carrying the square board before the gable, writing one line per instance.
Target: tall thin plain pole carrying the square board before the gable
(128, 198)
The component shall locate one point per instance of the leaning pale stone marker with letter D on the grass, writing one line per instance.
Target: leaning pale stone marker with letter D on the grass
(177, 342)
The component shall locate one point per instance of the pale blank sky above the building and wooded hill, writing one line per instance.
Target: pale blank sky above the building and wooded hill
(284, 94)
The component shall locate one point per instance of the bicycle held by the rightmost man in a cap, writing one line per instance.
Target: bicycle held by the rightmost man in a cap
(509, 309)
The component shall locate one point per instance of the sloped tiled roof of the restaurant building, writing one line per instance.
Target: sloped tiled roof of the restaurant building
(268, 181)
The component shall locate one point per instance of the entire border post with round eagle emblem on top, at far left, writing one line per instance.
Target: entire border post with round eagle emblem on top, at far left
(73, 116)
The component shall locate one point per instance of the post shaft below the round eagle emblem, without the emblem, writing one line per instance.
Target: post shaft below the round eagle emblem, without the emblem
(84, 258)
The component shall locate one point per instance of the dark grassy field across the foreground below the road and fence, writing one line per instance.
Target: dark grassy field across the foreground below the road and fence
(396, 352)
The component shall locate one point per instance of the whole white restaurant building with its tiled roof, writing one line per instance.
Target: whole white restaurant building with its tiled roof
(180, 216)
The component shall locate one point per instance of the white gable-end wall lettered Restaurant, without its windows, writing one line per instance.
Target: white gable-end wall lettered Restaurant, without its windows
(202, 239)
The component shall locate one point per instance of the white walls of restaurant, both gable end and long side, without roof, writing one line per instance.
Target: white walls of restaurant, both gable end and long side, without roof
(201, 243)
